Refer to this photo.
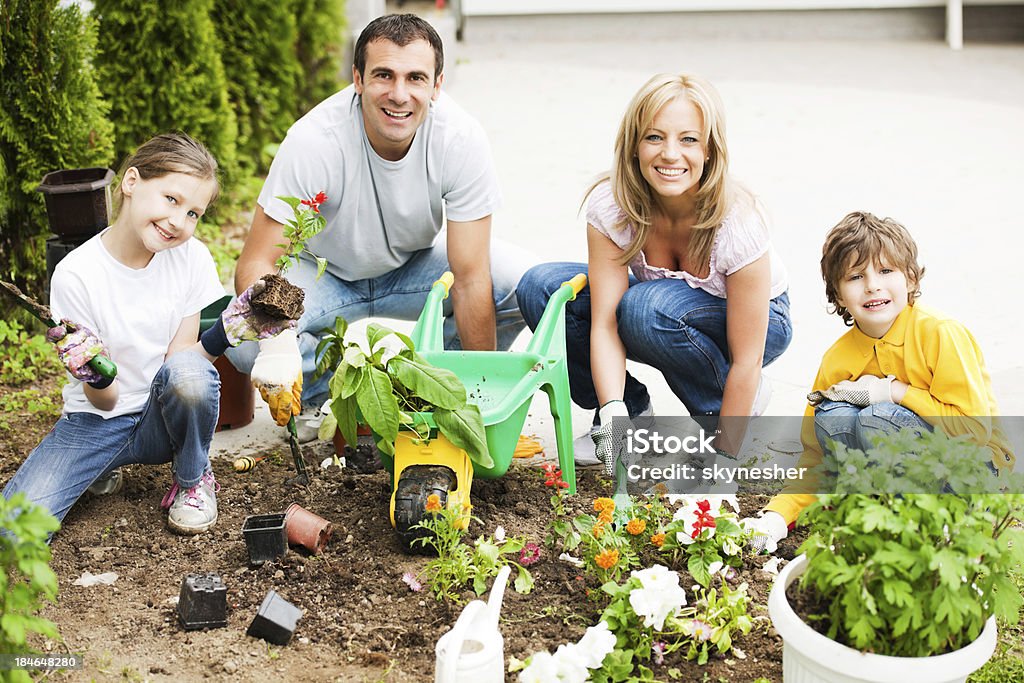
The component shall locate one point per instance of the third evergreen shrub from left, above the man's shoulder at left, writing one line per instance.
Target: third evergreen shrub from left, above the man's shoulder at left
(259, 51)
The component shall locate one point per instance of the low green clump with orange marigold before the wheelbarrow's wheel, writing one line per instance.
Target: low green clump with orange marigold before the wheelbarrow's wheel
(458, 565)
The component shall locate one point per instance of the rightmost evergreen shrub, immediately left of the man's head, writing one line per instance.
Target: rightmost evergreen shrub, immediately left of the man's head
(321, 45)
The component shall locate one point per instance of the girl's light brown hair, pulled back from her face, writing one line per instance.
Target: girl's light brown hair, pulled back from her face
(165, 154)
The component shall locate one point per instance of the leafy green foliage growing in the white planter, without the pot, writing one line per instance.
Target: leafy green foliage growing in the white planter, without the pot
(915, 575)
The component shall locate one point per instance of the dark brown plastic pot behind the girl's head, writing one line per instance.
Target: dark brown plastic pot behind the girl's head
(78, 201)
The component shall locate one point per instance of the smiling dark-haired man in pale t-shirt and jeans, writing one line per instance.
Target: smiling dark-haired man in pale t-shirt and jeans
(396, 158)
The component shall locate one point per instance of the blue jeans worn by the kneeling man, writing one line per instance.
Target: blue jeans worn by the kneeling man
(400, 294)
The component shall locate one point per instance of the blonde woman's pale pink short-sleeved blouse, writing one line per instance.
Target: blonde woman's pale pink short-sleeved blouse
(742, 240)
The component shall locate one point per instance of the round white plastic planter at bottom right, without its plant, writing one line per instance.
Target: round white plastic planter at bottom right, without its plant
(809, 657)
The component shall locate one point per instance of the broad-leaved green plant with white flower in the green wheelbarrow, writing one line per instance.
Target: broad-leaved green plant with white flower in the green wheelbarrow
(393, 391)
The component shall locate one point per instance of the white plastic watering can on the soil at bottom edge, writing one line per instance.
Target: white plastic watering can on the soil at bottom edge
(474, 652)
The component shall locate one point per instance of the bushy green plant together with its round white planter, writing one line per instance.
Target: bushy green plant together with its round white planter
(899, 586)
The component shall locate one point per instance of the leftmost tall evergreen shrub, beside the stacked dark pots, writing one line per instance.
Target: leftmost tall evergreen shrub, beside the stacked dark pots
(52, 117)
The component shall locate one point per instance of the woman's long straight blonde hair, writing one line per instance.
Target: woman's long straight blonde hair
(717, 192)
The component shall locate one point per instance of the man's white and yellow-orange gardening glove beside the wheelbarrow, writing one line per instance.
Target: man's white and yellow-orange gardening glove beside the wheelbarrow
(278, 375)
